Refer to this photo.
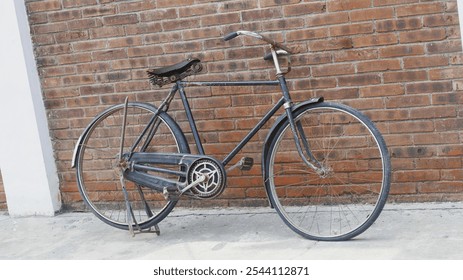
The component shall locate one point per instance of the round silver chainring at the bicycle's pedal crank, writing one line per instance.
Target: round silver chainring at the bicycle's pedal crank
(216, 178)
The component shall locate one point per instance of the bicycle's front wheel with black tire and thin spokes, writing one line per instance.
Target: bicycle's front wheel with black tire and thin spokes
(345, 199)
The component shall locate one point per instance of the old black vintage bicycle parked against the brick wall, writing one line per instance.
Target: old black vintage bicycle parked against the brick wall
(325, 166)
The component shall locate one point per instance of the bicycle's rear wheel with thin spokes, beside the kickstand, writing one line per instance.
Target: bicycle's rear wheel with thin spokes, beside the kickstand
(97, 172)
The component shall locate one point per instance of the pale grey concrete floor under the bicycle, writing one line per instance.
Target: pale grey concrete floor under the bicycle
(425, 231)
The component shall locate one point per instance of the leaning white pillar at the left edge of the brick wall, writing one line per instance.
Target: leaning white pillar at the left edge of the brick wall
(26, 157)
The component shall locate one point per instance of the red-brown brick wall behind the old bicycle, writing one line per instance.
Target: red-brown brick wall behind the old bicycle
(400, 62)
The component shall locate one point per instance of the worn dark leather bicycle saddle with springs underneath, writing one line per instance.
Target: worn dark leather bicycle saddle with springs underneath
(173, 73)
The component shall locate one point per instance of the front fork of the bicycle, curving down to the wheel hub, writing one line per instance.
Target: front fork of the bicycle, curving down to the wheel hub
(298, 133)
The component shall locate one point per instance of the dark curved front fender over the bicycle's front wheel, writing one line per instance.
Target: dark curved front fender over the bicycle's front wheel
(282, 120)
